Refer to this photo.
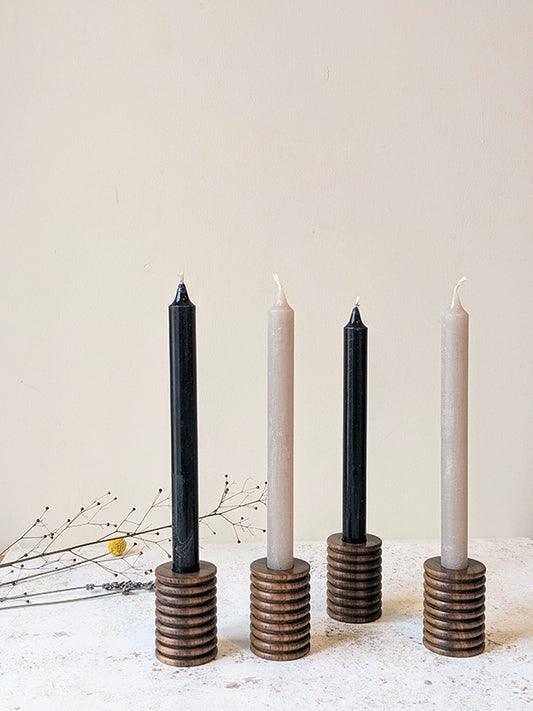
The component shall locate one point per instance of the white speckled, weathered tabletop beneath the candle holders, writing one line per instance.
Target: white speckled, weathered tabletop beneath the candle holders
(100, 654)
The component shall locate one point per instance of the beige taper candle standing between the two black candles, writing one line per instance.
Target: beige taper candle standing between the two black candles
(280, 433)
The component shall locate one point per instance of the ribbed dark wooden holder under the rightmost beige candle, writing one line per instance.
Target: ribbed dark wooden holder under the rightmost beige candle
(454, 609)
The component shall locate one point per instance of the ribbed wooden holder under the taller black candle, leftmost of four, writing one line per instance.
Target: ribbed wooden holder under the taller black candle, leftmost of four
(185, 615)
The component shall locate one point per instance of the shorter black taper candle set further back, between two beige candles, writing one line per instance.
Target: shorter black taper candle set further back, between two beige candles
(354, 430)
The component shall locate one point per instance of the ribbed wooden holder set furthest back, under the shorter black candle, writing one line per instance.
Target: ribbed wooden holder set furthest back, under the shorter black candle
(354, 579)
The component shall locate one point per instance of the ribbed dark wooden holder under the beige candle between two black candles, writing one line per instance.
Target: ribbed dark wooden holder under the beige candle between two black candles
(280, 611)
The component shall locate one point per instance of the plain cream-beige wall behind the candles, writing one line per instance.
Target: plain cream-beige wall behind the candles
(372, 148)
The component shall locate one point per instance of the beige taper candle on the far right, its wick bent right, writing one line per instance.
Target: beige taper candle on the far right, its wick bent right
(454, 435)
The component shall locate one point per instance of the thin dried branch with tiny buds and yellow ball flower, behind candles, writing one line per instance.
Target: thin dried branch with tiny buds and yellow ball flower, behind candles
(50, 550)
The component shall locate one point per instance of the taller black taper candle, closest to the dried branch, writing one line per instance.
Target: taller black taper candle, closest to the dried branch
(184, 433)
